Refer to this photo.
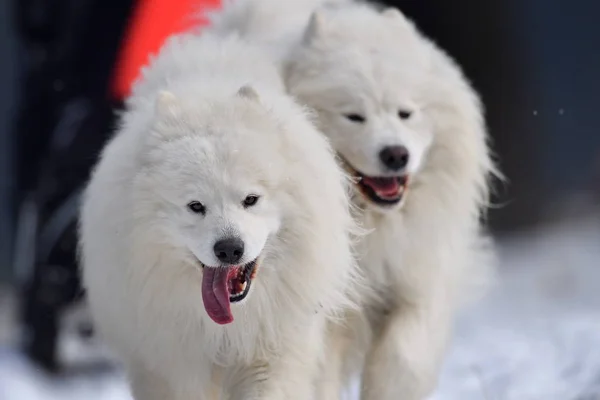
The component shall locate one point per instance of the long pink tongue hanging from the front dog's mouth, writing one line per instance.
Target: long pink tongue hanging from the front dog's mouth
(215, 295)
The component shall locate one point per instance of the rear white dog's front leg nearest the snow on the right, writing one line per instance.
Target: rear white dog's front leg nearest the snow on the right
(404, 360)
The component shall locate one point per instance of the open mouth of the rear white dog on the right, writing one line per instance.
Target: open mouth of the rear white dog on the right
(384, 191)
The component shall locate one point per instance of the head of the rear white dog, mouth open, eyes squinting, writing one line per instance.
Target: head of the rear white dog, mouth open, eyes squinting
(363, 72)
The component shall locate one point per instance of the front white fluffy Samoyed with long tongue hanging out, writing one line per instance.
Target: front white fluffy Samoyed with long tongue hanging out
(215, 231)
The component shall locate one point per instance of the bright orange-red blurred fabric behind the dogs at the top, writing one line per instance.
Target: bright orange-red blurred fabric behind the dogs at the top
(152, 22)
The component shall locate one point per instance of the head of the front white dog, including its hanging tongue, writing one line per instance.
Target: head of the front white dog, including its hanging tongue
(216, 199)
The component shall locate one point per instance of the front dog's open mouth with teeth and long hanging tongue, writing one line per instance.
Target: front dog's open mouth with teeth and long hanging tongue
(224, 285)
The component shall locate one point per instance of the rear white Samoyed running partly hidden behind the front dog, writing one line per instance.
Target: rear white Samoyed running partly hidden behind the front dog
(406, 123)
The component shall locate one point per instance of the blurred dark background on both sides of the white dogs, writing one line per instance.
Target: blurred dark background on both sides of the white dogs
(535, 63)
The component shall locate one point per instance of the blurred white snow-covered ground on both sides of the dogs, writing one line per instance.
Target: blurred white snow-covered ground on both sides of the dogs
(536, 336)
